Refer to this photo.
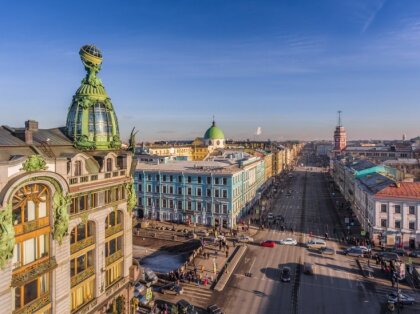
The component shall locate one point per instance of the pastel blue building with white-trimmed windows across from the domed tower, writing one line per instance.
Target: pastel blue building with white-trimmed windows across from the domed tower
(217, 192)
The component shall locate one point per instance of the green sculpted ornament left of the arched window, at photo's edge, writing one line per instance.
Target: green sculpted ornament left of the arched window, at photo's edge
(7, 235)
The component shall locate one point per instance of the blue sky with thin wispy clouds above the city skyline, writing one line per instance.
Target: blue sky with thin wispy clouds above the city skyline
(169, 66)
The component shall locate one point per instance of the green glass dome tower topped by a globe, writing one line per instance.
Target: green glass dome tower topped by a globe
(91, 120)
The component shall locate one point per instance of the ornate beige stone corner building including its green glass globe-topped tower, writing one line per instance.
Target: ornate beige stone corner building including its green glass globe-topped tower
(66, 196)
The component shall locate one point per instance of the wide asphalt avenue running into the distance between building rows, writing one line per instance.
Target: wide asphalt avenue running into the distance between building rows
(337, 285)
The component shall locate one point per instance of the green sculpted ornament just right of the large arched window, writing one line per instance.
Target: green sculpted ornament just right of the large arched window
(61, 219)
